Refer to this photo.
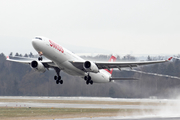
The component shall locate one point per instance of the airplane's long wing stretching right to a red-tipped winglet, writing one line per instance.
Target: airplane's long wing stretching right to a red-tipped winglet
(119, 65)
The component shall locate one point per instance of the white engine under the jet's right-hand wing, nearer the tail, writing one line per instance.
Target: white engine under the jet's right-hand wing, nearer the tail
(90, 67)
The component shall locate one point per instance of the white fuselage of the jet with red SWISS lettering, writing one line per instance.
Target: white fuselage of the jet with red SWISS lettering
(62, 57)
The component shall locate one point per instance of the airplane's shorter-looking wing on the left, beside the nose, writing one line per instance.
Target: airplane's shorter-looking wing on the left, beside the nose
(47, 63)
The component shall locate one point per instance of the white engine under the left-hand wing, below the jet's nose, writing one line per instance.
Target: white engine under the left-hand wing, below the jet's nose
(37, 66)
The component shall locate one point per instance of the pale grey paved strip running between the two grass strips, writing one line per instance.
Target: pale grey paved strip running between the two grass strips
(63, 105)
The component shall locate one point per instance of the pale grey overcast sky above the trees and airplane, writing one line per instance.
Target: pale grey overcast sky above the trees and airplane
(114, 26)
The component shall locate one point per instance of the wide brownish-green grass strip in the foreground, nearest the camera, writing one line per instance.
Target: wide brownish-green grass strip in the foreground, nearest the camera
(52, 113)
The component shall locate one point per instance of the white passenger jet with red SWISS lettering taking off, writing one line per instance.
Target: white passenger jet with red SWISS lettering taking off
(61, 59)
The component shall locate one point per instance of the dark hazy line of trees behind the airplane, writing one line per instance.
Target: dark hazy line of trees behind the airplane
(18, 79)
